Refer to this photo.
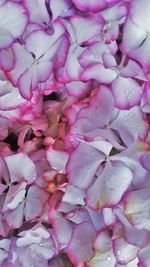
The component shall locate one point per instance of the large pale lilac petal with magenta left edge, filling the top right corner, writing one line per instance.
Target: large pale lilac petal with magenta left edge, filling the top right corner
(136, 32)
